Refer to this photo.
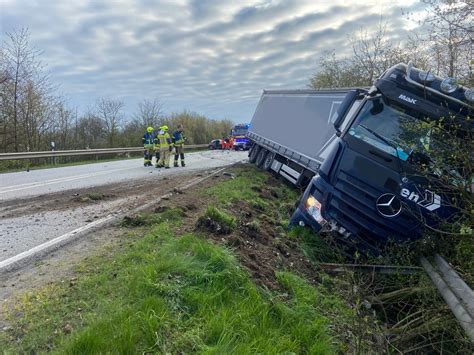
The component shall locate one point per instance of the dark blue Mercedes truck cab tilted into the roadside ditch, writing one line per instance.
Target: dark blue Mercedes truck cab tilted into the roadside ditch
(383, 178)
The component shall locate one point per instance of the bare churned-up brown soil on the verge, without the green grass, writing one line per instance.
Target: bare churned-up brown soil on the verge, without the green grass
(257, 244)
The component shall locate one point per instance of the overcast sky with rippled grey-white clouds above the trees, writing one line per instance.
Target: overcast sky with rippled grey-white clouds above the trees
(212, 57)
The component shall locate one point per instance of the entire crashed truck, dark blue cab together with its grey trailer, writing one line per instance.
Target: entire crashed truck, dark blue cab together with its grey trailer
(366, 155)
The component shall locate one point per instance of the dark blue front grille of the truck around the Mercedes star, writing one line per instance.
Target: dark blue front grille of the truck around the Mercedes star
(353, 206)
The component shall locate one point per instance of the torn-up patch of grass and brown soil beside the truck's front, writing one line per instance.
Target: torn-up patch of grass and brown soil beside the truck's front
(261, 206)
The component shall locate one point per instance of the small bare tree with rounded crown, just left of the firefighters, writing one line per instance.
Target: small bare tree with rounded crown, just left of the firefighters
(110, 112)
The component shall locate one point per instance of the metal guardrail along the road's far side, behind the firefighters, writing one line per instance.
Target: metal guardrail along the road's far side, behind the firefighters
(62, 153)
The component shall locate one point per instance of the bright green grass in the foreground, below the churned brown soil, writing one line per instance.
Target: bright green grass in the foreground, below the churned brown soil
(169, 294)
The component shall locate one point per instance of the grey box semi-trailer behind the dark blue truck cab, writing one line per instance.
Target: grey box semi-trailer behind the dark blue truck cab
(292, 130)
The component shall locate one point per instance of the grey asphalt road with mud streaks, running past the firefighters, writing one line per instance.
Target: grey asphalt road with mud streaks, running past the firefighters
(40, 205)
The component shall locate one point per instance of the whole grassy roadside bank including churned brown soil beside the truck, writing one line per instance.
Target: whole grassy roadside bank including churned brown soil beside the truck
(214, 271)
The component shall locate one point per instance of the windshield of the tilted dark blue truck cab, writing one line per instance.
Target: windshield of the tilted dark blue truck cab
(397, 131)
